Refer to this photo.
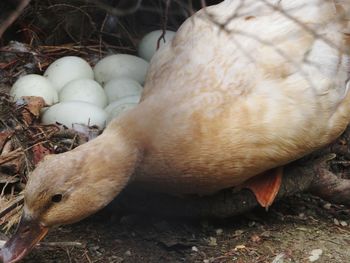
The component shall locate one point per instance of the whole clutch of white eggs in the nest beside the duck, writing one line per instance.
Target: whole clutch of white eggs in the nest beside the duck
(76, 93)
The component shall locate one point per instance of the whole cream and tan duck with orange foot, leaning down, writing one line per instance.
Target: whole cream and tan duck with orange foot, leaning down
(244, 88)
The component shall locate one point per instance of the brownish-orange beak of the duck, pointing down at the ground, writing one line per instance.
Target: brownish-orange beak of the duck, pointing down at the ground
(29, 232)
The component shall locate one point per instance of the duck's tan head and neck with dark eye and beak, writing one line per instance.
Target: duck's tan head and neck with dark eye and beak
(68, 187)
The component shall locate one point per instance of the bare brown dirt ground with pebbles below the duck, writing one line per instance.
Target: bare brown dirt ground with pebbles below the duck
(290, 231)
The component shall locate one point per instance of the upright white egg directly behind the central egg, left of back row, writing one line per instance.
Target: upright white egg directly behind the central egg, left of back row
(66, 69)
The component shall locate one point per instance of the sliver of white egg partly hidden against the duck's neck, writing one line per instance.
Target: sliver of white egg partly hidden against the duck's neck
(118, 107)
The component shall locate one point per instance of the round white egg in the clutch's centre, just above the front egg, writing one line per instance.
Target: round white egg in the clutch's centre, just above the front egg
(86, 90)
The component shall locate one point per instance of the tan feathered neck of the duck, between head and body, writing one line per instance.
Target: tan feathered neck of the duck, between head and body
(108, 163)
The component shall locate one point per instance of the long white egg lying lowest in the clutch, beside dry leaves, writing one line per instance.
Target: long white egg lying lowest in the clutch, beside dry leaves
(70, 112)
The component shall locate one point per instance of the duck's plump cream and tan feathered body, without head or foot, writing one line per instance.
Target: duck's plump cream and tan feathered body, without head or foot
(222, 104)
